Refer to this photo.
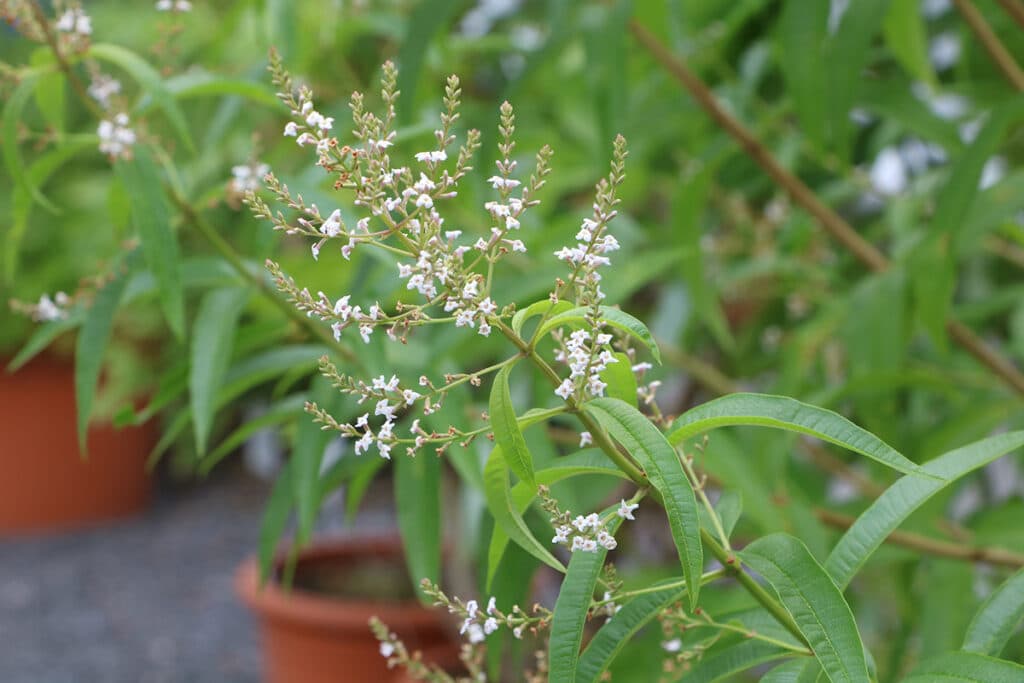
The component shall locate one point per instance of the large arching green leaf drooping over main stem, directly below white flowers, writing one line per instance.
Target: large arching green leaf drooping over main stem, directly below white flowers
(661, 463)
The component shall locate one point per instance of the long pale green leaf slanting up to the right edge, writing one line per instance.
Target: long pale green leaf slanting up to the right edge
(897, 504)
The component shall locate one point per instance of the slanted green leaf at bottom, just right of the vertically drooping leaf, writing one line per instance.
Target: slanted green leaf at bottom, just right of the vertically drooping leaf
(617, 632)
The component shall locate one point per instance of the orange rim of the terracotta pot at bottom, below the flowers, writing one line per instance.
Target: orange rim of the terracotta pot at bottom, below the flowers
(273, 603)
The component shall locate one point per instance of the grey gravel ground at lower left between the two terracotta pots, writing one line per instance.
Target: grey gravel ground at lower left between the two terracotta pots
(148, 601)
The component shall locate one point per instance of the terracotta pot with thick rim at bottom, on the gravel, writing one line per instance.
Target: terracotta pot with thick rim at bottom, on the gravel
(309, 637)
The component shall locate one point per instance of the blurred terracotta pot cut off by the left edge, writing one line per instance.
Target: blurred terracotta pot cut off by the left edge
(46, 485)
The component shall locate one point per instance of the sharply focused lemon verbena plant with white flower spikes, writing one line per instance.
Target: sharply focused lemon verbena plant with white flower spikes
(596, 359)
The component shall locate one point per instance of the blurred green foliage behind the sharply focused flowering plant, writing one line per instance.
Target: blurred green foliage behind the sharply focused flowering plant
(892, 112)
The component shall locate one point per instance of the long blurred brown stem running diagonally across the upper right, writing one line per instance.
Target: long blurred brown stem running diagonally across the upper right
(865, 251)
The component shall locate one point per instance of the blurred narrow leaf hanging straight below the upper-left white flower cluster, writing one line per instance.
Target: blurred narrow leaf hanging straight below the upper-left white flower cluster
(142, 181)
